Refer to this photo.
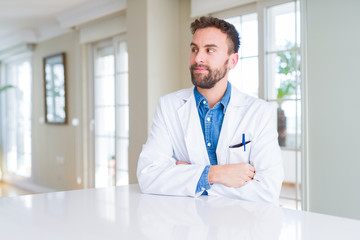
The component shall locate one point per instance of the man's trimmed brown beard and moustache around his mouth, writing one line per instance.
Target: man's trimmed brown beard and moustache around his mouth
(211, 78)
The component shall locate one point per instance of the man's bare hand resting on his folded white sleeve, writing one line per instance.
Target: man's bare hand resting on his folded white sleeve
(231, 175)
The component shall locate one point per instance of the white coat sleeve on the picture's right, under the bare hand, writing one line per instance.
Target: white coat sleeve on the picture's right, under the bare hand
(267, 160)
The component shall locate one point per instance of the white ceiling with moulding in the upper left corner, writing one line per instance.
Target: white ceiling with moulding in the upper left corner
(34, 21)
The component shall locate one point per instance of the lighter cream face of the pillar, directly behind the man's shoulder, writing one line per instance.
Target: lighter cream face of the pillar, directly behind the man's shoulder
(163, 50)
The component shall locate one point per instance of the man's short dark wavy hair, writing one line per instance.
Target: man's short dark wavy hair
(223, 26)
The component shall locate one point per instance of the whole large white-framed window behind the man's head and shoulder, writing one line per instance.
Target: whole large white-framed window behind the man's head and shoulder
(269, 67)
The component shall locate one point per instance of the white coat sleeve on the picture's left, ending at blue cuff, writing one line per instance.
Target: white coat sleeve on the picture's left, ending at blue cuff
(157, 171)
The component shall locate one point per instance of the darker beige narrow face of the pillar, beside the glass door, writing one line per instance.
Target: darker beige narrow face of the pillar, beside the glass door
(136, 14)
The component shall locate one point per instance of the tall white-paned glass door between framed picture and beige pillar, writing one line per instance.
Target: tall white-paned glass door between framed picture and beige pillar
(110, 113)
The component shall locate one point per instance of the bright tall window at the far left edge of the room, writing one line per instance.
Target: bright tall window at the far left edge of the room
(16, 118)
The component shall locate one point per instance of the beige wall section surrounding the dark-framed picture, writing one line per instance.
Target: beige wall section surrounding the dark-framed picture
(57, 149)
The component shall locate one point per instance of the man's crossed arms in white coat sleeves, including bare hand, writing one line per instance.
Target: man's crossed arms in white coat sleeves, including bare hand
(157, 169)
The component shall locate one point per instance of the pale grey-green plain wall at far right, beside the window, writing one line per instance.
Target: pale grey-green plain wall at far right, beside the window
(333, 39)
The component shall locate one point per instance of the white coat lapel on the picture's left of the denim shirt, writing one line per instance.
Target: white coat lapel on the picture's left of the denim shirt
(194, 138)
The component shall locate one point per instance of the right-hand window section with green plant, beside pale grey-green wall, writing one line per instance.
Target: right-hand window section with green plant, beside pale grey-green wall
(282, 58)
